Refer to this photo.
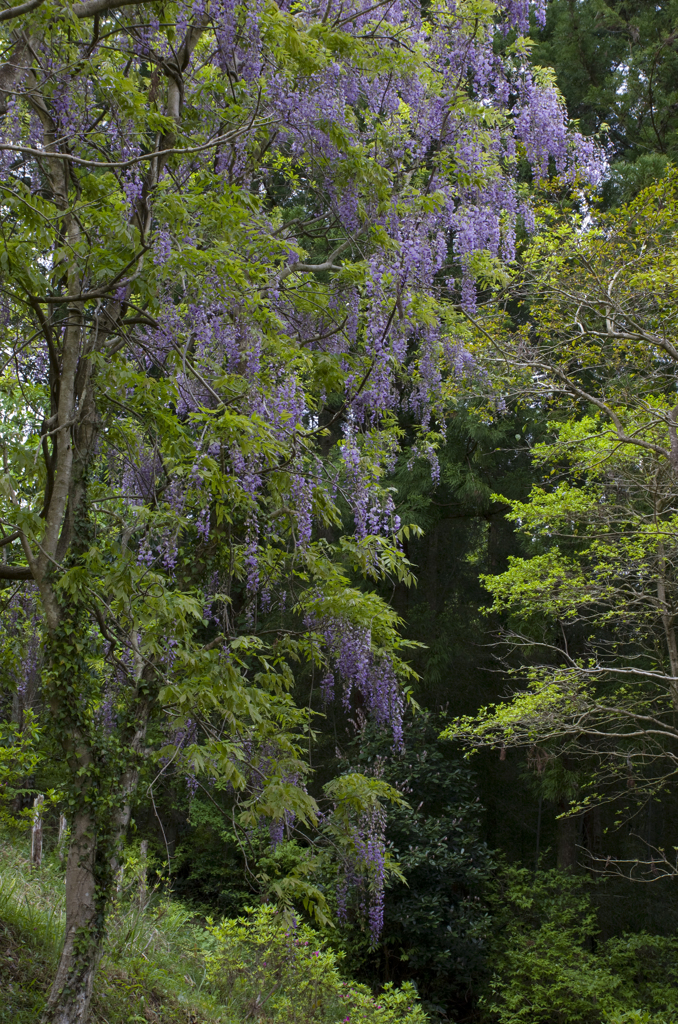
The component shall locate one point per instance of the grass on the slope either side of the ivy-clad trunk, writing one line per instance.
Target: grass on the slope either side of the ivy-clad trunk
(153, 970)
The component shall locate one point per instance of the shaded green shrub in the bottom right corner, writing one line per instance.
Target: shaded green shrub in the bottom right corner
(549, 969)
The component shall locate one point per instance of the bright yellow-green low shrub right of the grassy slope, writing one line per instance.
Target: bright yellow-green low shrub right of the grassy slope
(265, 969)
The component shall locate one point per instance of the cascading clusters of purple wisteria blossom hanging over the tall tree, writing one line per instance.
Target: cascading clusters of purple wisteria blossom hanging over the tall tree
(237, 336)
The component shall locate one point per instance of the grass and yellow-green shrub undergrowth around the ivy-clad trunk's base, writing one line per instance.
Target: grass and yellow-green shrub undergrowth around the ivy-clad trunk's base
(162, 967)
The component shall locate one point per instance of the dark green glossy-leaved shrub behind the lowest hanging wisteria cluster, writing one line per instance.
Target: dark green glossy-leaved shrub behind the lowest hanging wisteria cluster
(436, 921)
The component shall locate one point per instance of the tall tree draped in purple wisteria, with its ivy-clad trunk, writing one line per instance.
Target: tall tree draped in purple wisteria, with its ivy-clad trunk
(237, 242)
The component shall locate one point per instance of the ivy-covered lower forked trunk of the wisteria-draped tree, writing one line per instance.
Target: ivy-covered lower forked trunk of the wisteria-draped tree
(102, 790)
